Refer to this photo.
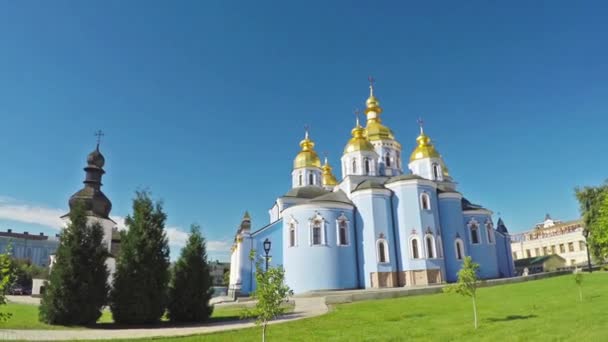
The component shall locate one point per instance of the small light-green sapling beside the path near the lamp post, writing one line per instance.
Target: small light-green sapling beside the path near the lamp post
(271, 292)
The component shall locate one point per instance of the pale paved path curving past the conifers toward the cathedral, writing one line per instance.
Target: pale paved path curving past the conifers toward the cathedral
(304, 307)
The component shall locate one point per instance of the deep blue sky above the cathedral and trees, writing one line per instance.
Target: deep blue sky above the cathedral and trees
(204, 102)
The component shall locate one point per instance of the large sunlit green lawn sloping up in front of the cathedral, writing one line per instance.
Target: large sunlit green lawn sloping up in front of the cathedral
(542, 310)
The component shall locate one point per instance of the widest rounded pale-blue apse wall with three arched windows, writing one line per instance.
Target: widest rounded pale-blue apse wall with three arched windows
(328, 265)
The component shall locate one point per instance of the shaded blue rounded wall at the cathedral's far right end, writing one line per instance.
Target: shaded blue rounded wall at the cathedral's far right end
(484, 252)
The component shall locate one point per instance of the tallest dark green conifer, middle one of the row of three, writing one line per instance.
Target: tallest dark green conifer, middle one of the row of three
(139, 294)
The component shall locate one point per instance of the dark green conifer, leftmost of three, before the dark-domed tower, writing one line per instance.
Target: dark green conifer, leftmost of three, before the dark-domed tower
(78, 285)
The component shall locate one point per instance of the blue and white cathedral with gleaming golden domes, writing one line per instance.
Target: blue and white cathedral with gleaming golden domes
(380, 226)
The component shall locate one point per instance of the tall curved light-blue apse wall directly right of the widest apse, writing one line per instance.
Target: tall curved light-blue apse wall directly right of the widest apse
(374, 226)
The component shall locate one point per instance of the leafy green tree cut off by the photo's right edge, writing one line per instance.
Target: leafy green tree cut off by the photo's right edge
(594, 209)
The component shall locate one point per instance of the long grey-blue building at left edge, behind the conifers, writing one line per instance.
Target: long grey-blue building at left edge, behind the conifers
(37, 249)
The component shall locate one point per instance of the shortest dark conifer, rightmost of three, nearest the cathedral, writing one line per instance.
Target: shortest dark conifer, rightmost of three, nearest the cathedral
(191, 290)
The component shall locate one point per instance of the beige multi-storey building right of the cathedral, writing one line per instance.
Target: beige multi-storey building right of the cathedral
(552, 237)
